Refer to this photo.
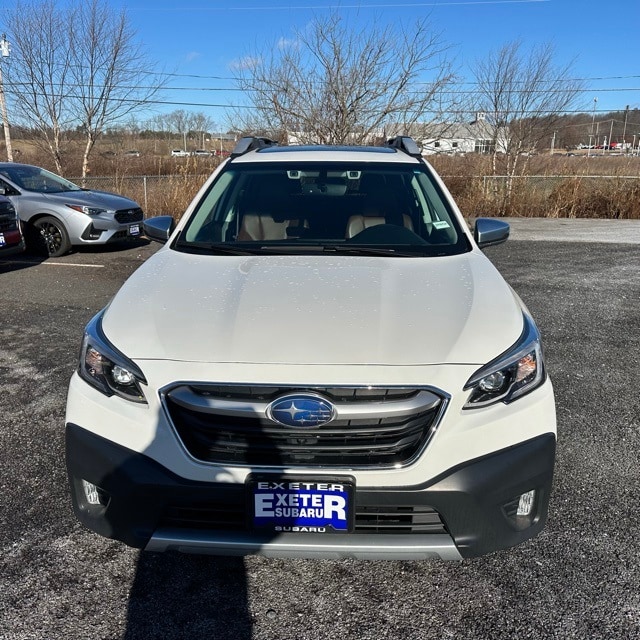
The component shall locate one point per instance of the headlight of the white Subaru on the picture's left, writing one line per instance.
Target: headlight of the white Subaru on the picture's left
(105, 368)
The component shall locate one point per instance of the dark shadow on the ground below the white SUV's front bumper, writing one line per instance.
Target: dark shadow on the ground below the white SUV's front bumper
(186, 596)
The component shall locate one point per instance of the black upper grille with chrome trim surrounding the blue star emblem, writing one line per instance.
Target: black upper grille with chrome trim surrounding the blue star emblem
(374, 427)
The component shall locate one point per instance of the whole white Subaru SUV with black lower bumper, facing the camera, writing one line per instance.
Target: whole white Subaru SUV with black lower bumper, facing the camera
(320, 362)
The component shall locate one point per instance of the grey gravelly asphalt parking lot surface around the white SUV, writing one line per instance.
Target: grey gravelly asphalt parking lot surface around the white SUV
(579, 579)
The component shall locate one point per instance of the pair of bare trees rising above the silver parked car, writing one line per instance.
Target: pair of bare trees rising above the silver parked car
(79, 66)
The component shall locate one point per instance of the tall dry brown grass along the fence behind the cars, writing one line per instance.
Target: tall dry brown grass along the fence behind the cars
(559, 186)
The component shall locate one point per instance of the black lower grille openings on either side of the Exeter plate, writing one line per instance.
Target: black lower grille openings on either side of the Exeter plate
(368, 519)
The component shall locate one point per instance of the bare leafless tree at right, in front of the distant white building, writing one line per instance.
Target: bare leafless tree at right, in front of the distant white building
(524, 94)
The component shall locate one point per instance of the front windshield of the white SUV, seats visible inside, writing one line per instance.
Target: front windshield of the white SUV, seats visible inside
(366, 209)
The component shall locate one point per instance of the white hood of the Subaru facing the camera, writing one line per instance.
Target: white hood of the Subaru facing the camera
(315, 310)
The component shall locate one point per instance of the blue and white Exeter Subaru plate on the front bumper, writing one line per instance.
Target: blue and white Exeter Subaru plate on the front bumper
(301, 505)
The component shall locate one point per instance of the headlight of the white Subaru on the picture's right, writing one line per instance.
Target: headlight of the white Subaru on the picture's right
(512, 375)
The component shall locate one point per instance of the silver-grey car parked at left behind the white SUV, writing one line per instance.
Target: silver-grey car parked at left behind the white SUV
(57, 214)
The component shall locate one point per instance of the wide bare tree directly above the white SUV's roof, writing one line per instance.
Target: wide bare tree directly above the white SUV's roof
(333, 84)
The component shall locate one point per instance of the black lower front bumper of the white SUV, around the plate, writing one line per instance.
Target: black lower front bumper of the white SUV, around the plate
(470, 506)
